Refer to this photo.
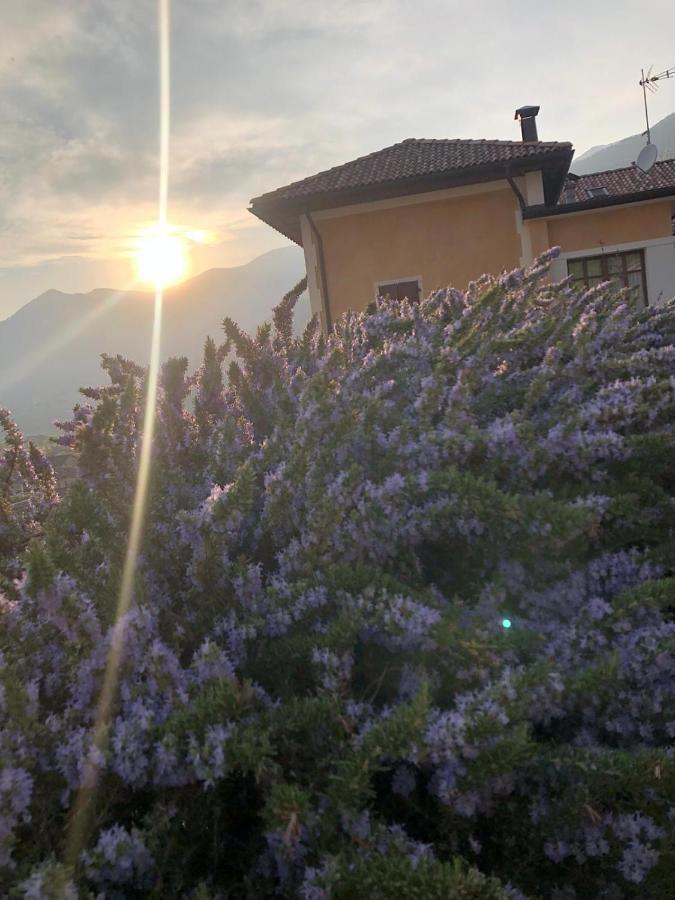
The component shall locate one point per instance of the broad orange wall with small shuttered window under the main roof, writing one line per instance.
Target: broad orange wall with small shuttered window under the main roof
(450, 240)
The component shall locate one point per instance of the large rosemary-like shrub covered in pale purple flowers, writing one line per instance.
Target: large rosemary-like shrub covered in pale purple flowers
(402, 624)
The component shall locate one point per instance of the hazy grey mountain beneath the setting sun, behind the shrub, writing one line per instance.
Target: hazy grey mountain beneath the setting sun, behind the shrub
(52, 345)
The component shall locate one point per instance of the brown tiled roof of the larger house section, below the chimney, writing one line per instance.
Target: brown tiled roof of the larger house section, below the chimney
(414, 159)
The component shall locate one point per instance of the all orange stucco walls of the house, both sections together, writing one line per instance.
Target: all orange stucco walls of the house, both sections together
(453, 236)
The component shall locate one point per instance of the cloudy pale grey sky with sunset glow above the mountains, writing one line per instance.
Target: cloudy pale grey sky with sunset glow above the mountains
(264, 92)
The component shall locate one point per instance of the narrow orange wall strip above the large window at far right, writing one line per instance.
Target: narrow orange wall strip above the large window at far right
(616, 225)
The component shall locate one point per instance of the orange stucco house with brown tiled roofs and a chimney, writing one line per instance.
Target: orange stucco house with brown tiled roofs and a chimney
(423, 214)
